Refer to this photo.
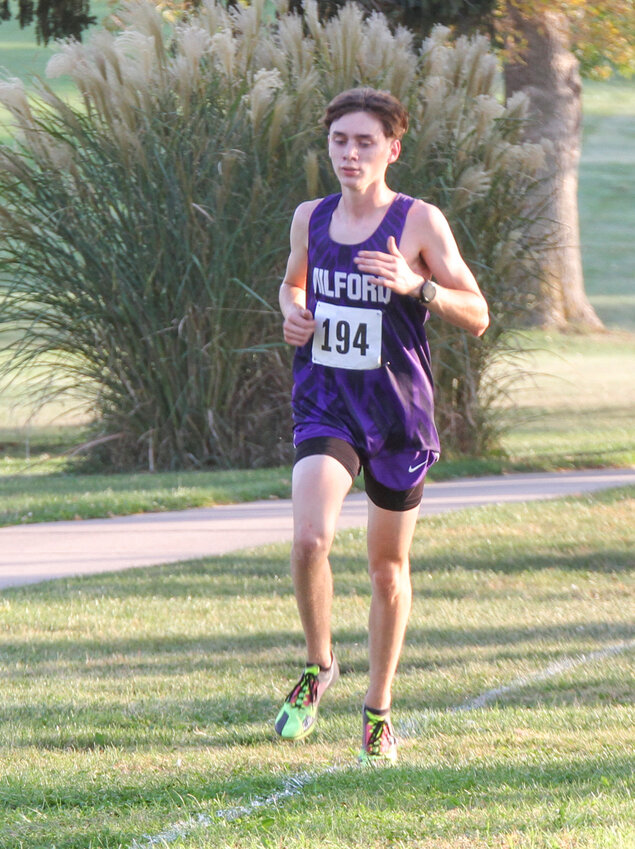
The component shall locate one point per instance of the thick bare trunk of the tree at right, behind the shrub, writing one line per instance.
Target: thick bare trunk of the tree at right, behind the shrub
(547, 72)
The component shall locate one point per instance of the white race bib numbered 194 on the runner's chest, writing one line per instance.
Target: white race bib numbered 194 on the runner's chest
(347, 337)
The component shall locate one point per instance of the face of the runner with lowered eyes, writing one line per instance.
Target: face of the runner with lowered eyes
(360, 151)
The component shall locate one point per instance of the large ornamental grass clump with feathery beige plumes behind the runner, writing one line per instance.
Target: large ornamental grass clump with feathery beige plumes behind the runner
(145, 231)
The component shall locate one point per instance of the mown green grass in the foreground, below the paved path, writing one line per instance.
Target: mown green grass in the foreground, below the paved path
(133, 701)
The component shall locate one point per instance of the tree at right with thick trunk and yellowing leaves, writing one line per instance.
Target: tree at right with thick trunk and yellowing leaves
(545, 44)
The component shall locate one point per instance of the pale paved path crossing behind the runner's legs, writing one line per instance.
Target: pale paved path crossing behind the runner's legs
(39, 552)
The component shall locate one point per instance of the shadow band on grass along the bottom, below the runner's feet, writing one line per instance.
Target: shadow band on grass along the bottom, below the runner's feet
(509, 793)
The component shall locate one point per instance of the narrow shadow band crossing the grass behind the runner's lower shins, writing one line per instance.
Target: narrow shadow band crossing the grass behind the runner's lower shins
(172, 654)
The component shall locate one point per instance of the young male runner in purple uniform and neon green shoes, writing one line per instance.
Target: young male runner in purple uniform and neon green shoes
(355, 297)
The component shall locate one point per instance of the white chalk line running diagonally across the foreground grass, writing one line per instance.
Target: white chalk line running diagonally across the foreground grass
(295, 784)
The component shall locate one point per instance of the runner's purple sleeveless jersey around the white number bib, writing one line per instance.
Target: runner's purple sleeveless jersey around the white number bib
(379, 393)
